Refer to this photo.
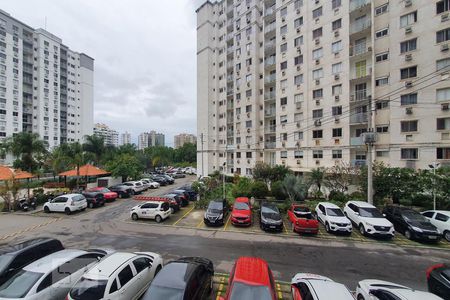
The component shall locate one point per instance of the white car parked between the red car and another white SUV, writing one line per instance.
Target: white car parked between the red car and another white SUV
(332, 217)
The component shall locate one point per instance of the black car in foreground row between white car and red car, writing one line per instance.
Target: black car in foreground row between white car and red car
(187, 278)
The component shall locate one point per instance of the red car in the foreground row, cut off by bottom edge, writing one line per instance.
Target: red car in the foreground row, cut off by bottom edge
(250, 279)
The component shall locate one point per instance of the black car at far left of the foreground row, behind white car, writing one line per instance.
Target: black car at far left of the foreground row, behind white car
(14, 258)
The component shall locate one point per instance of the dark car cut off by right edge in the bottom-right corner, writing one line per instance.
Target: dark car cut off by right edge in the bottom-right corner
(438, 279)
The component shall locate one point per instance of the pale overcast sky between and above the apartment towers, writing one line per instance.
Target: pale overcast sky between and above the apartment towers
(145, 57)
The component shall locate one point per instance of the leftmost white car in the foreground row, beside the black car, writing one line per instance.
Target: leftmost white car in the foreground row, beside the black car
(50, 277)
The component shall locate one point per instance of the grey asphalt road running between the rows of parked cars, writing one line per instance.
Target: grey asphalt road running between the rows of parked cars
(344, 262)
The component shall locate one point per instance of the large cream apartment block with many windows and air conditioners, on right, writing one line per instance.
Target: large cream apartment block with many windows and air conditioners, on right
(308, 83)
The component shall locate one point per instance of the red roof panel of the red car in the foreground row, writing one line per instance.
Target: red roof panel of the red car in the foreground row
(252, 270)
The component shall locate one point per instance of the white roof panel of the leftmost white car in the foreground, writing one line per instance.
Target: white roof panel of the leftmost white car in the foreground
(49, 262)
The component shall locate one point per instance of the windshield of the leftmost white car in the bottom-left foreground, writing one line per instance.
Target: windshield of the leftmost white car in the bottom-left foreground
(18, 285)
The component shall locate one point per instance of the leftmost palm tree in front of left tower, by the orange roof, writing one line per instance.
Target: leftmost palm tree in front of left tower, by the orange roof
(27, 148)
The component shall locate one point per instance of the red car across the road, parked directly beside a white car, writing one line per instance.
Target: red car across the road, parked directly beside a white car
(302, 219)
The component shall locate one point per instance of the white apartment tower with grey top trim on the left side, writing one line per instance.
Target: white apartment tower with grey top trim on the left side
(44, 86)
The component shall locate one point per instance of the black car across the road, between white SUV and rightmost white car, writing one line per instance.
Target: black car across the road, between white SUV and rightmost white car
(411, 223)
